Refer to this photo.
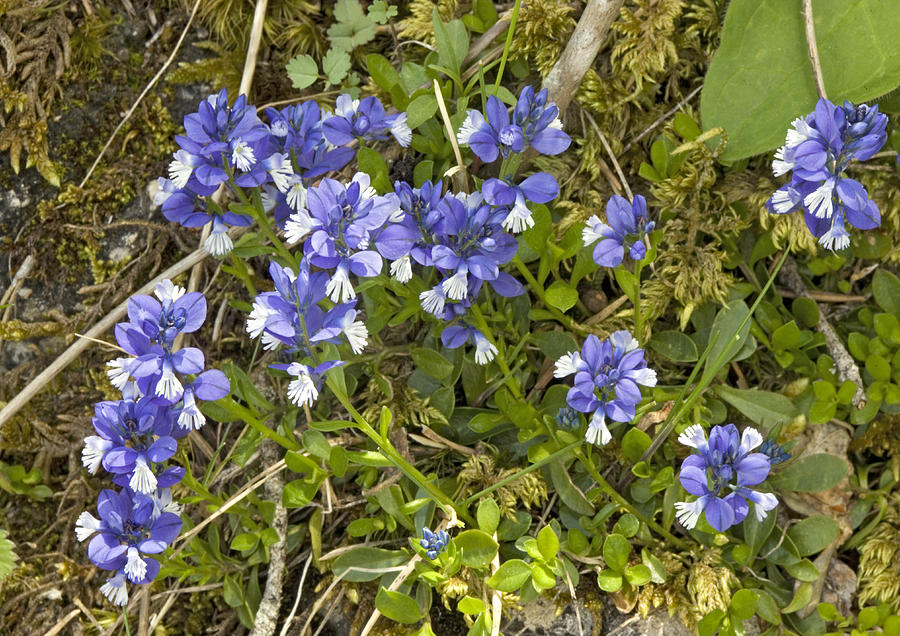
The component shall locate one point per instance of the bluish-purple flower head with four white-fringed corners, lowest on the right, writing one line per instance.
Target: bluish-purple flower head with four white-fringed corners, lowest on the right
(719, 473)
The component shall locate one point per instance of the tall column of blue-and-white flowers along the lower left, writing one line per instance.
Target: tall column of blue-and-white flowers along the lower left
(136, 435)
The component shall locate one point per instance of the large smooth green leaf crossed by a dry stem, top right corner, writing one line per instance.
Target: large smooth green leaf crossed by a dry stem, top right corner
(761, 77)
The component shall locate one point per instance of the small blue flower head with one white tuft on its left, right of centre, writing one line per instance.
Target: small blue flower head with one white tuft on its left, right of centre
(628, 224)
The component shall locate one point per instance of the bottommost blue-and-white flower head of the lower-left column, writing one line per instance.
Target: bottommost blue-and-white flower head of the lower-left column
(129, 528)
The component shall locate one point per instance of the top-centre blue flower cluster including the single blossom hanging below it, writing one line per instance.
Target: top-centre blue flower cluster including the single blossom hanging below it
(535, 123)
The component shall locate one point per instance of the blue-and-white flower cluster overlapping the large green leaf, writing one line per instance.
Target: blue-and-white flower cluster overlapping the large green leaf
(817, 151)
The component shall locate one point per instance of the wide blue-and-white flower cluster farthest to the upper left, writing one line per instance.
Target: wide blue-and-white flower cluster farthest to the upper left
(232, 146)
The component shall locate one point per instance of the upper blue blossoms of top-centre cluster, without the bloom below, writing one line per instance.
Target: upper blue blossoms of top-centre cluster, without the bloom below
(534, 122)
